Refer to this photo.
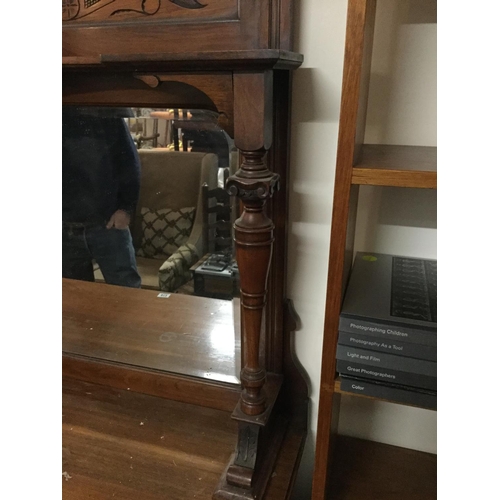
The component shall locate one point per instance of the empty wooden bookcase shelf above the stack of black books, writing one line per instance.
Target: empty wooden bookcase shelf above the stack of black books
(399, 166)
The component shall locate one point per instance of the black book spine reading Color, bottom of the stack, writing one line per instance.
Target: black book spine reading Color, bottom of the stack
(396, 394)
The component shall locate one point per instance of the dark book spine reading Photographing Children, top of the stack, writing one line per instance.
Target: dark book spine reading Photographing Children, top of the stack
(389, 332)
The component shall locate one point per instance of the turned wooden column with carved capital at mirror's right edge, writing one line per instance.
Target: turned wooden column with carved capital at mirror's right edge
(253, 183)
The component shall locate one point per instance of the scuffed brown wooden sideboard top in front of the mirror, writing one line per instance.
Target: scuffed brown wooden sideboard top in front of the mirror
(129, 446)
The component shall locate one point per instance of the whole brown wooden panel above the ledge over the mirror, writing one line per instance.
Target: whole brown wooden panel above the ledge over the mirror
(123, 27)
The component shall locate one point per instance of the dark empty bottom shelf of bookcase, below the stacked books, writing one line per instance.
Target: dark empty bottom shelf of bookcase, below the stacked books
(365, 469)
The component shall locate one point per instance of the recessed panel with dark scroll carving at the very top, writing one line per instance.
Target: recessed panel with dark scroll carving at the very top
(99, 11)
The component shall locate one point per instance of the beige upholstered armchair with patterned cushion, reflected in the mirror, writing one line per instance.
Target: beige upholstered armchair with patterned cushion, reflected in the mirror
(167, 229)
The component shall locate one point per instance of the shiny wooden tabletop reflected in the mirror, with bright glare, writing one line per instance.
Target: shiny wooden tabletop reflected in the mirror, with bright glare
(182, 334)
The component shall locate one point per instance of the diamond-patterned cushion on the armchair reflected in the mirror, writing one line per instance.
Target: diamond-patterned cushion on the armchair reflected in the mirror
(164, 231)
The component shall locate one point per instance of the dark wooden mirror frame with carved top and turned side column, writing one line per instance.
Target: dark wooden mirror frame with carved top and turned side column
(250, 89)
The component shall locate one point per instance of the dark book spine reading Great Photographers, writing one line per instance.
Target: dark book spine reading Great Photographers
(386, 375)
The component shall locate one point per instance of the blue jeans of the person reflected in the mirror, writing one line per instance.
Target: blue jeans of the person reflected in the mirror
(112, 249)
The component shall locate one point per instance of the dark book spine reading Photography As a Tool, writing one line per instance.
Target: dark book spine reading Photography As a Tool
(388, 346)
